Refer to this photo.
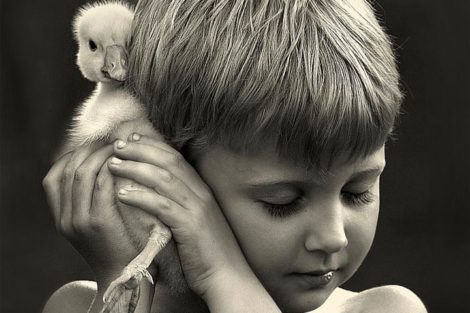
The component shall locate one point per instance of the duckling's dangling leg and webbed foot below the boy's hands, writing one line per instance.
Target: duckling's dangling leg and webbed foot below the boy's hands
(123, 293)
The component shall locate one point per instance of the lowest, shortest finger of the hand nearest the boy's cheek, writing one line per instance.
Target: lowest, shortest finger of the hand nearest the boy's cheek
(168, 211)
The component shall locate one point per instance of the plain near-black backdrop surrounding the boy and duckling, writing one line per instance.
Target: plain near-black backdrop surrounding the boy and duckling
(423, 238)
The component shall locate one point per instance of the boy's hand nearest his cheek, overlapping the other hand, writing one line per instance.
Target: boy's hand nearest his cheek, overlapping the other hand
(177, 195)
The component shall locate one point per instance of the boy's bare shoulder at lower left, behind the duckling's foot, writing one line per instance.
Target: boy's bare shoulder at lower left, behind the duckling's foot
(74, 297)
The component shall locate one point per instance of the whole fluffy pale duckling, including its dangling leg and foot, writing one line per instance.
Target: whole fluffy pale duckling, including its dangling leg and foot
(102, 31)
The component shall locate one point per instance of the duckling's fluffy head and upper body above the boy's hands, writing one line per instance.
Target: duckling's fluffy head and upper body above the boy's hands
(102, 31)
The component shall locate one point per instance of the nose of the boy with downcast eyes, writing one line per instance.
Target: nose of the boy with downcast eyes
(327, 230)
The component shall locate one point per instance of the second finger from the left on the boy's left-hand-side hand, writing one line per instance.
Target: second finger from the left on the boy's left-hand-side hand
(68, 177)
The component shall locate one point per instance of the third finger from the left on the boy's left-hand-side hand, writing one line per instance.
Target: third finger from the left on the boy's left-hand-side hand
(83, 186)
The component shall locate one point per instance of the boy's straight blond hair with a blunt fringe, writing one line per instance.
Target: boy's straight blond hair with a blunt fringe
(317, 76)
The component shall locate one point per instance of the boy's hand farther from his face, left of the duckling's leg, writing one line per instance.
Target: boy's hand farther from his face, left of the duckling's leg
(80, 192)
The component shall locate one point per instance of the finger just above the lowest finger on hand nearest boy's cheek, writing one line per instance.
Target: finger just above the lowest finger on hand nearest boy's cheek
(160, 180)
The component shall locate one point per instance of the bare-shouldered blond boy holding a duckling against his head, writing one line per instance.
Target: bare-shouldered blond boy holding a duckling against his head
(276, 114)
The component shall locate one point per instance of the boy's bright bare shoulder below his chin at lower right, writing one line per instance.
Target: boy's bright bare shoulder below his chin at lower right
(384, 299)
